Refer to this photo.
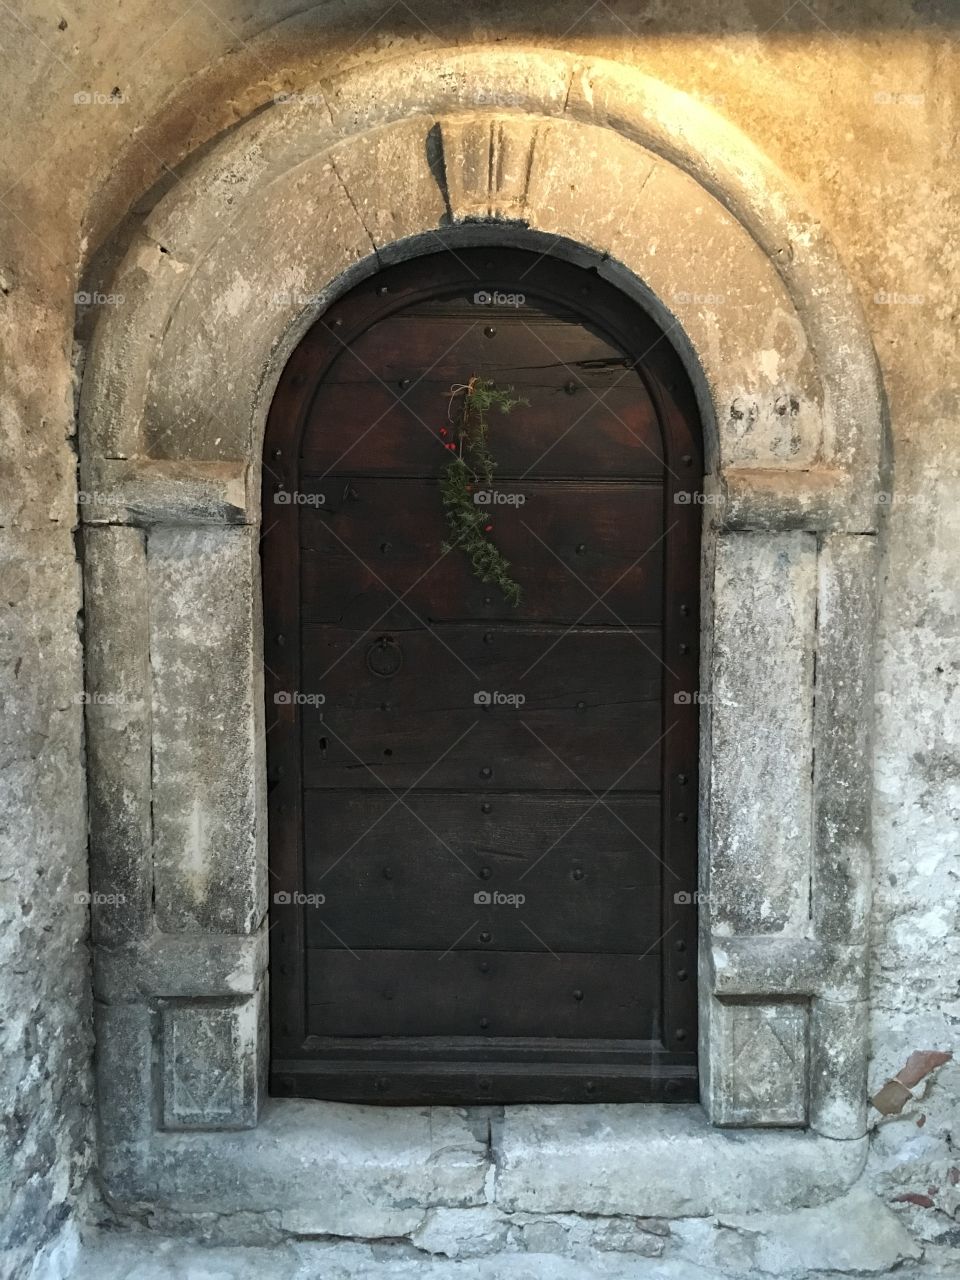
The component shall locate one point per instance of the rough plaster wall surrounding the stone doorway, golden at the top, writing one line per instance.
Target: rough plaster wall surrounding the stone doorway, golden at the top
(865, 126)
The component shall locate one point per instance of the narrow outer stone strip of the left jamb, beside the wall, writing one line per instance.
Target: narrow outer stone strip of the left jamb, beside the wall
(118, 732)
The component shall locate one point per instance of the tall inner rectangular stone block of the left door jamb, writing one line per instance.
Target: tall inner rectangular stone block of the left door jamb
(209, 785)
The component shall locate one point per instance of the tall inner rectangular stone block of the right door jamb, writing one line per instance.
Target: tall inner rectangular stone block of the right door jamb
(761, 714)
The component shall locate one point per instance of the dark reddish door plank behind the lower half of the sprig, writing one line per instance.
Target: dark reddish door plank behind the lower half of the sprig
(582, 554)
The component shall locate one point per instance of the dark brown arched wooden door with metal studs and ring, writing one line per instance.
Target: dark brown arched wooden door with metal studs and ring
(483, 815)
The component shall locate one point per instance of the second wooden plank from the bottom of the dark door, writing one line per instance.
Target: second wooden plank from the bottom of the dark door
(433, 871)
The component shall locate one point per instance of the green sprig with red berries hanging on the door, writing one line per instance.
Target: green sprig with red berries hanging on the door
(470, 470)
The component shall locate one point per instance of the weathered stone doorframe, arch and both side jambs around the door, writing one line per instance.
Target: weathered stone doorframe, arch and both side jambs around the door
(583, 159)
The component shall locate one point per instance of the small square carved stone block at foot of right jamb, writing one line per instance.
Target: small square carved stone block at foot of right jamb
(758, 1068)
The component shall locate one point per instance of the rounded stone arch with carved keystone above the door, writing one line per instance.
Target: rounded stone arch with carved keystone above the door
(234, 266)
